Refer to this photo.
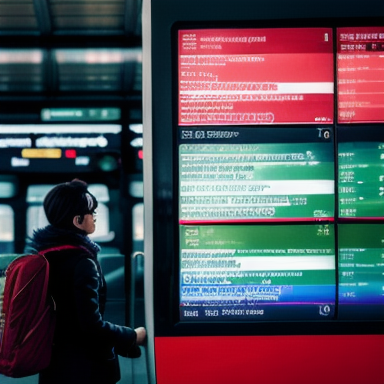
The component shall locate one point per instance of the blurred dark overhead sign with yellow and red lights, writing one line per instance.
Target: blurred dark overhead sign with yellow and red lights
(60, 147)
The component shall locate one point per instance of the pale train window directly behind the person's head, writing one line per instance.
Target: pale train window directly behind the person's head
(36, 217)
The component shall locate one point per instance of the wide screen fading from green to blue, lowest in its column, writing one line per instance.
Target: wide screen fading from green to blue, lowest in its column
(282, 272)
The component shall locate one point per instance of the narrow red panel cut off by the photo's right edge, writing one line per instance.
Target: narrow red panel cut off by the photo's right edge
(360, 74)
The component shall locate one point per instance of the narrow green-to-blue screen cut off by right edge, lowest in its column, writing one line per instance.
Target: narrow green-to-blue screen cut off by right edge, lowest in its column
(361, 271)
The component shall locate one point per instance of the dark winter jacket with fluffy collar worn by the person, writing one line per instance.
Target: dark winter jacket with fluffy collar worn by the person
(85, 346)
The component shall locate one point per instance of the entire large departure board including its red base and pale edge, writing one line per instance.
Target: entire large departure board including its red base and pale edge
(265, 214)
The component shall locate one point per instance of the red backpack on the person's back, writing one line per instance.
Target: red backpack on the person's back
(27, 314)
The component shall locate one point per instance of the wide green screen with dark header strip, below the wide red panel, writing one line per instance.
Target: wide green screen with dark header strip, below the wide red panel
(261, 174)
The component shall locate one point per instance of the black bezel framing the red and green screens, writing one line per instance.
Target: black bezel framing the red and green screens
(166, 313)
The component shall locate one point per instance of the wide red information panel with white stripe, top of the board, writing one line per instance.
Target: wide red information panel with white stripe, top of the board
(256, 76)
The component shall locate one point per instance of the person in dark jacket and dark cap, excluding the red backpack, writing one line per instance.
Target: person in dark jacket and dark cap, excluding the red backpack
(85, 345)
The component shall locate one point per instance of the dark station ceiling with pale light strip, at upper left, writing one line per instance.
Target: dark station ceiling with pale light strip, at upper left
(61, 48)
